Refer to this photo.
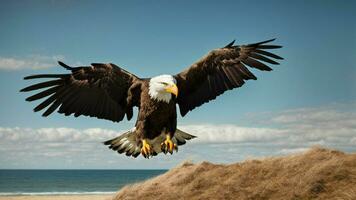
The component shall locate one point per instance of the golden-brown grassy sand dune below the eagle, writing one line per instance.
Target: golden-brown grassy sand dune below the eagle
(316, 174)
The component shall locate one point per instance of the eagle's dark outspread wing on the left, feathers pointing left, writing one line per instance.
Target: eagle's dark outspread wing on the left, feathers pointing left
(100, 90)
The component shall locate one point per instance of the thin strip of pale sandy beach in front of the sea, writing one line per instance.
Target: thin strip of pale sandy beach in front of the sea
(59, 197)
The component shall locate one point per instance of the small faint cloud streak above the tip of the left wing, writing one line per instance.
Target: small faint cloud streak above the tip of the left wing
(29, 62)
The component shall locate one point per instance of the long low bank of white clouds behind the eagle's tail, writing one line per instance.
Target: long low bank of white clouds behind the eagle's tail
(284, 132)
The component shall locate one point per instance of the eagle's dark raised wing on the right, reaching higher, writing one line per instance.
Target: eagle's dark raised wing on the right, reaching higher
(222, 69)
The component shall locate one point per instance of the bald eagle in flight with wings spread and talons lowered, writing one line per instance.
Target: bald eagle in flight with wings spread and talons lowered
(107, 91)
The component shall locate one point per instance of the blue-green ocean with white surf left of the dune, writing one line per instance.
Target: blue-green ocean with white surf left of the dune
(66, 182)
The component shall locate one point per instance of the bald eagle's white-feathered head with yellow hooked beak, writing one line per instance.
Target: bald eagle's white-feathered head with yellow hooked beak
(162, 87)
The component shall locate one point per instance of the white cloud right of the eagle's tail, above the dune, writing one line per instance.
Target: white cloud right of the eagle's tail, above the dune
(327, 125)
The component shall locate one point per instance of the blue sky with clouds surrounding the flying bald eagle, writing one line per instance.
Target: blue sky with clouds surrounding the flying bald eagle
(156, 37)
